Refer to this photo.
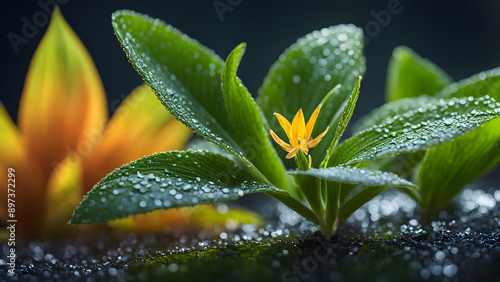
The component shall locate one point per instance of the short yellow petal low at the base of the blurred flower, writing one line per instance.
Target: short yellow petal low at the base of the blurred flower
(63, 195)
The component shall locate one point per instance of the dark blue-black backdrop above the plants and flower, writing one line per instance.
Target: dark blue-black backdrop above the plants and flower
(462, 37)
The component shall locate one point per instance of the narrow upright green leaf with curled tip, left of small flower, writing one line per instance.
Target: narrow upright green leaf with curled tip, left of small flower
(247, 122)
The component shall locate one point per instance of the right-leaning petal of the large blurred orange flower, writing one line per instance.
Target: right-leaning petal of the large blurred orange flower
(140, 126)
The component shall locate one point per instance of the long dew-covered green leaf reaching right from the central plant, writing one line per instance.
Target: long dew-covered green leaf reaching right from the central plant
(417, 129)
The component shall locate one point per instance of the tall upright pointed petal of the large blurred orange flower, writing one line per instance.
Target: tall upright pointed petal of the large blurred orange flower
(63, 101)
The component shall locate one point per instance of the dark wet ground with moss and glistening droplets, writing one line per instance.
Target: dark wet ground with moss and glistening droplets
(383, 241)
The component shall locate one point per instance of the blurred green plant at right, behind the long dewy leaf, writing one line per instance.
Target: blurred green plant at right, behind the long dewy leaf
(440, 172)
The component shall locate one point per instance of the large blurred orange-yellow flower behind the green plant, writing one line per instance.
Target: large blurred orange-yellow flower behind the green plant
(64, 144)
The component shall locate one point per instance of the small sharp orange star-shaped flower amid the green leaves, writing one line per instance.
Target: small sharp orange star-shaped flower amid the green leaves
(298, 133)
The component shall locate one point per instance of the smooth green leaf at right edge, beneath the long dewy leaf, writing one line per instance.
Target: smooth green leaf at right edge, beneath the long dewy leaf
(446, 169)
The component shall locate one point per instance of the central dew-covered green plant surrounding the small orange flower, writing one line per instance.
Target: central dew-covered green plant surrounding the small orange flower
(187, 78)
